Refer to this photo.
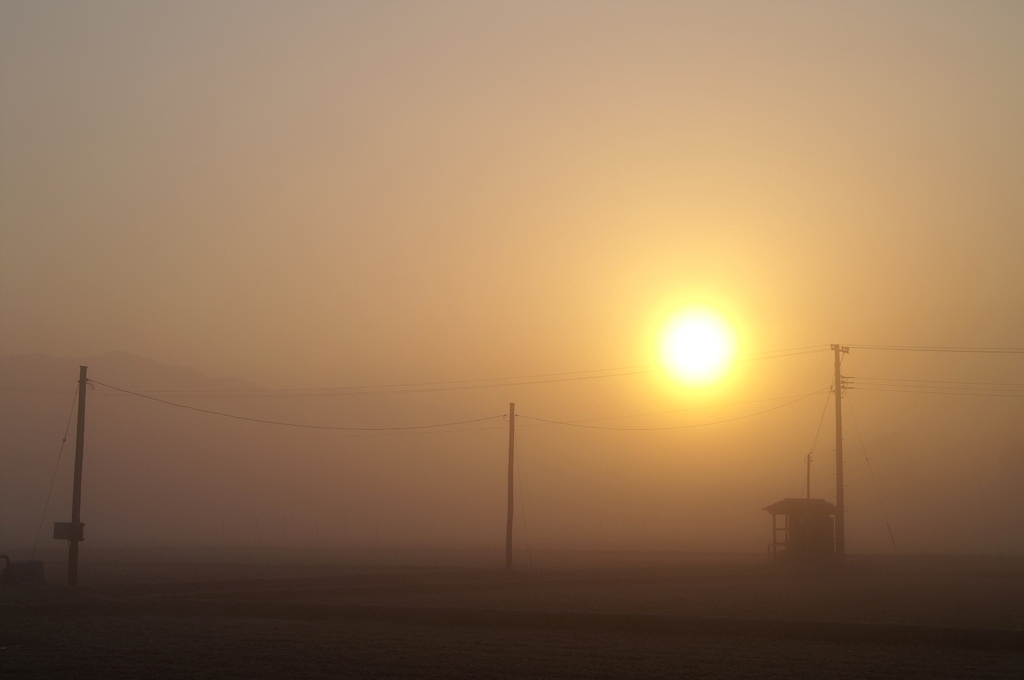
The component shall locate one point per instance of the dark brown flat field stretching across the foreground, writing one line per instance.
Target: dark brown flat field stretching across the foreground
(908, 618)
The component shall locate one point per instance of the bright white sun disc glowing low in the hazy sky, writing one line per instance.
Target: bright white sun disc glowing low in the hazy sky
(698, 348)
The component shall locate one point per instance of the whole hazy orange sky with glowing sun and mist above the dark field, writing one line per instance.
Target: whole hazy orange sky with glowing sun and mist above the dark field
(301, 201)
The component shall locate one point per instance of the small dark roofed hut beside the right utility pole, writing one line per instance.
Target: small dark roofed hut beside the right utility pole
(807, 529)
